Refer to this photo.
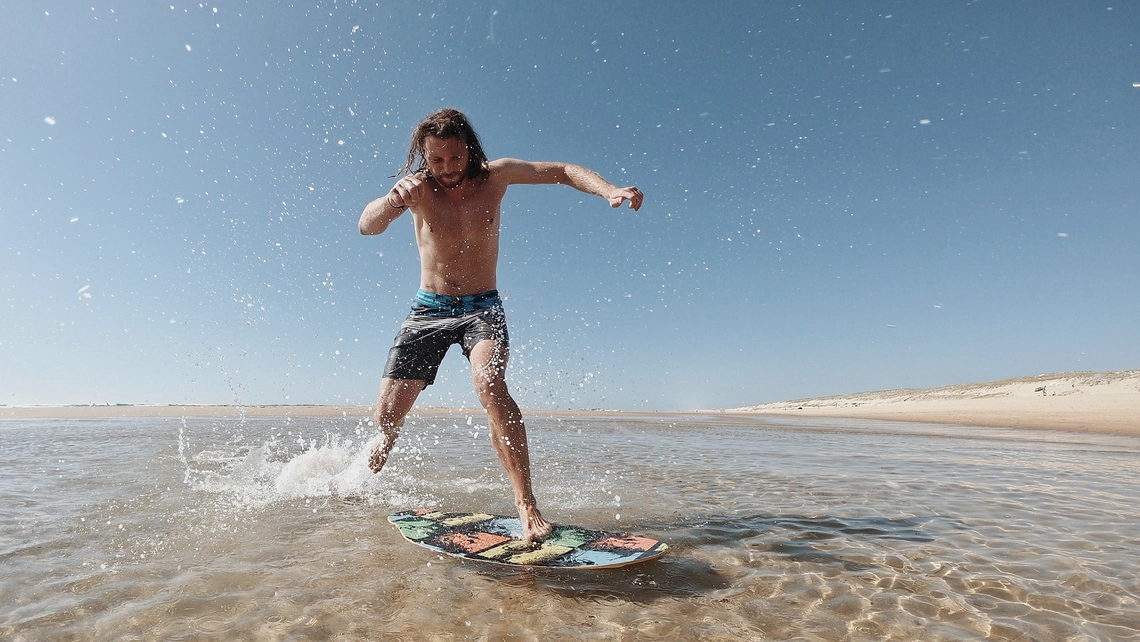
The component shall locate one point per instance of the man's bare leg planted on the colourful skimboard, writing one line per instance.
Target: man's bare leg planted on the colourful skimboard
(509, 435)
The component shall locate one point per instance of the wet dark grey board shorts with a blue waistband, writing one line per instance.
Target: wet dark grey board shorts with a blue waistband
(438, 322)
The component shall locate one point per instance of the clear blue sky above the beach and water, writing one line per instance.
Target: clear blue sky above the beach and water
(840, 198)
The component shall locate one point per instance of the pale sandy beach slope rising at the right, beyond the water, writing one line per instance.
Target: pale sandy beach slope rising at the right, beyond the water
(1084, 402)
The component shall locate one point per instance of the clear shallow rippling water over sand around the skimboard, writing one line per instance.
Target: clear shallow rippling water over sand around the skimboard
(805, 530)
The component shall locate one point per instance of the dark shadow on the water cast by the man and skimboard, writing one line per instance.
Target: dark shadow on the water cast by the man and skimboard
(682, 574)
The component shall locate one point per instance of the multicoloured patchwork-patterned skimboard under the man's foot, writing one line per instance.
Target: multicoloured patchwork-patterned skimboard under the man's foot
(499, 540)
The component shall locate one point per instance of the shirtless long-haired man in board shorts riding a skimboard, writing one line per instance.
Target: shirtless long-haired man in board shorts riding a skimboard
(455, 194)
